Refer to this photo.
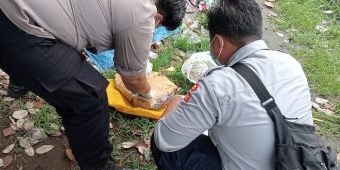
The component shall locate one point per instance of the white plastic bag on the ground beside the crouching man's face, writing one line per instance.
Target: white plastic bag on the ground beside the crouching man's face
(197, 64)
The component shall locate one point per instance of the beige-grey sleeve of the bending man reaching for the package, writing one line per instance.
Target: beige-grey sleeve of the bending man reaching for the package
(132, 49)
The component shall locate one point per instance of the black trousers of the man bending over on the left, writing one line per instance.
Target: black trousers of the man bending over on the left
(60, 75)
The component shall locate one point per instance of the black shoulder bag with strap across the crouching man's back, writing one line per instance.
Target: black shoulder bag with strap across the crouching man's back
(296, 145)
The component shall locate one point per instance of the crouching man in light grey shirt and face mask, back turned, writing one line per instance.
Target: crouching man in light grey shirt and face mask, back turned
(241, 134)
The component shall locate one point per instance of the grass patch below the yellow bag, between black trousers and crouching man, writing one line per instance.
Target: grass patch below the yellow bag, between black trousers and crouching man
(128, 129)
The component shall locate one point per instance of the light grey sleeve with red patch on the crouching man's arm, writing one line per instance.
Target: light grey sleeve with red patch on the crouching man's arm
(194, 115)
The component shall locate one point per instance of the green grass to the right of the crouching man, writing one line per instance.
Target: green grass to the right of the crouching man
(319, 52)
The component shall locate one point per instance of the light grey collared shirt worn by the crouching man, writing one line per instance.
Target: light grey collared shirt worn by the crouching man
(225, 104)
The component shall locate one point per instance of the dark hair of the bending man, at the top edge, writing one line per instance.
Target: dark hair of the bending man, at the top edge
(173, 12)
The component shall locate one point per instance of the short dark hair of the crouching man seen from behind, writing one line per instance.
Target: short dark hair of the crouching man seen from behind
(236, 19)
